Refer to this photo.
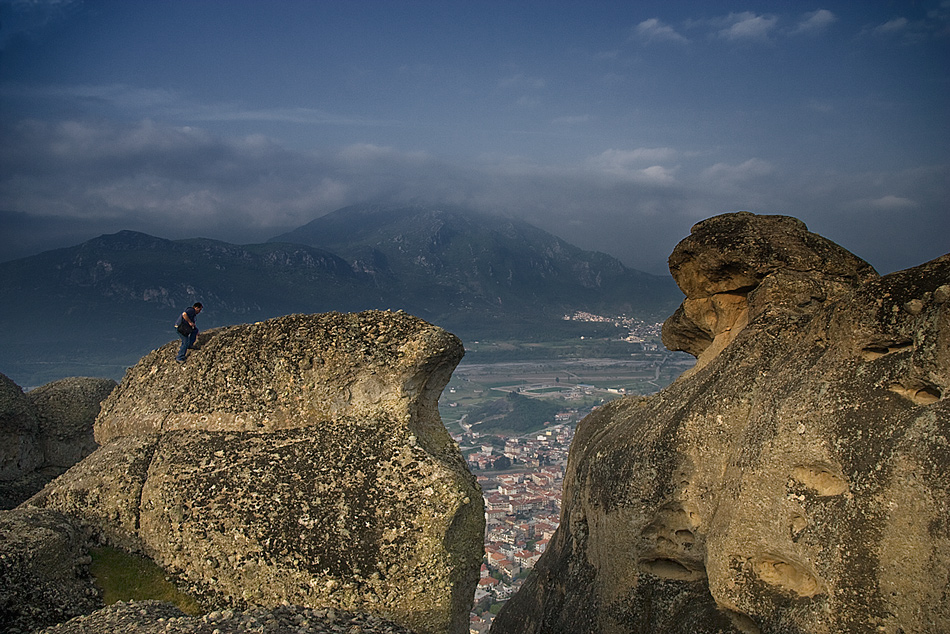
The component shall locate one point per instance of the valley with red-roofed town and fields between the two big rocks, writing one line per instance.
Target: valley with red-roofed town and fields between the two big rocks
(514, 421)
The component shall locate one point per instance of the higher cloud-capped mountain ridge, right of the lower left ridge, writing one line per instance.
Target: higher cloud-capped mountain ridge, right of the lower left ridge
(487, 254)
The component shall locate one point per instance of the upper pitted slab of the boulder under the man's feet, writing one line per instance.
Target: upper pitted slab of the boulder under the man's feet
(289, 372)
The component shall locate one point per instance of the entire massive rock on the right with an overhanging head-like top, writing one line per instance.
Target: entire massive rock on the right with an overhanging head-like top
(797, 481)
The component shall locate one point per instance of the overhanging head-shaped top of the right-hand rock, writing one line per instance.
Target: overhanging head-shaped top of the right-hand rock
(734, 266)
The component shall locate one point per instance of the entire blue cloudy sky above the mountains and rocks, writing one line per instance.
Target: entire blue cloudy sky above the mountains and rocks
(614, 125)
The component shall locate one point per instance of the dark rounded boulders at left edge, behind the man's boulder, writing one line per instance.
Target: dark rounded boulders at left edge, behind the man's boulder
(44, 432)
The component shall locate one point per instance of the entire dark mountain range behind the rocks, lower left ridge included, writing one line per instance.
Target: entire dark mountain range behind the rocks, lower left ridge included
(96, 308)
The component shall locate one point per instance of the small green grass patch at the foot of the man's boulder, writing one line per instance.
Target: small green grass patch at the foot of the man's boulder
(126, 577)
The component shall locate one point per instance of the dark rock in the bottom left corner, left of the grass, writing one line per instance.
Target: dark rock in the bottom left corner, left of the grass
(44, 574)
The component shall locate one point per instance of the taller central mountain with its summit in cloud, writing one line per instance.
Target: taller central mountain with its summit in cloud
(455, 262)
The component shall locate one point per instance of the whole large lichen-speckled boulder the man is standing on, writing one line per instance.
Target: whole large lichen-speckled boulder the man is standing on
(298, 460)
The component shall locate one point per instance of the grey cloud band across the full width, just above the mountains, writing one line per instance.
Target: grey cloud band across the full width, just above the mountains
(62, 182)
